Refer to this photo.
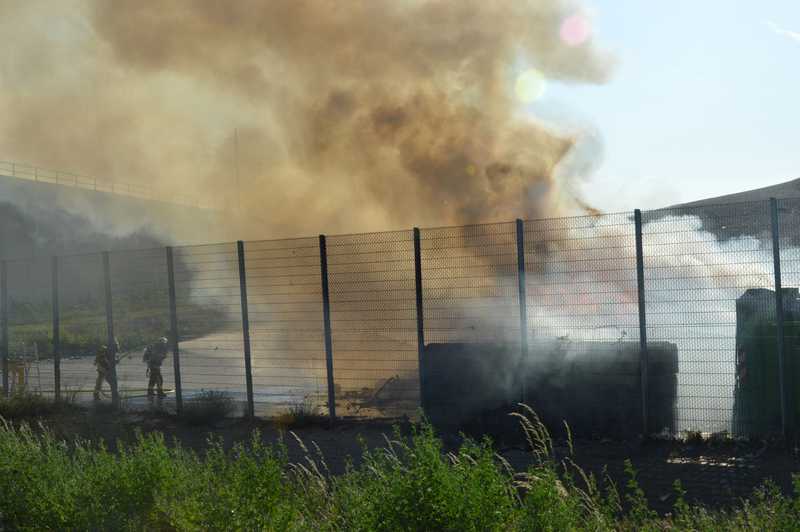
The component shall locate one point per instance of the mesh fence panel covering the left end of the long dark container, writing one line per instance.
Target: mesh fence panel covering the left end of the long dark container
(472, 328)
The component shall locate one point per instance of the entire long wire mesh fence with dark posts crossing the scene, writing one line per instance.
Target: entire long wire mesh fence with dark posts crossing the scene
(662, 321)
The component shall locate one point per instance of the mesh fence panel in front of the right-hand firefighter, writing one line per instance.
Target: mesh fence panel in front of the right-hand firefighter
(140, 301)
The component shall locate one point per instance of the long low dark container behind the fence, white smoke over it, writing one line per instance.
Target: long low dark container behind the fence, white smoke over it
(594, 386)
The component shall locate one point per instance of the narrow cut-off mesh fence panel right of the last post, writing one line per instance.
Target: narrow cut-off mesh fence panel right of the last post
(789, 231)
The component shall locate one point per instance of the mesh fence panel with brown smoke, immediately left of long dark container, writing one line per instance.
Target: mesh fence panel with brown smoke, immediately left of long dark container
(373, 321)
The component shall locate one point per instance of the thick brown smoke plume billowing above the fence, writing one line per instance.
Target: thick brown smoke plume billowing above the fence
(351, 116)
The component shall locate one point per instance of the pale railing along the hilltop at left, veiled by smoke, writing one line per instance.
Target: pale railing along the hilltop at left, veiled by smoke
(30, 172)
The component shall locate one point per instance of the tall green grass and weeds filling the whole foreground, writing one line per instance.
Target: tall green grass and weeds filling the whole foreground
(410, 484)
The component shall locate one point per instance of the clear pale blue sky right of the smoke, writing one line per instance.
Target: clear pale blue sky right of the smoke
(704, 99)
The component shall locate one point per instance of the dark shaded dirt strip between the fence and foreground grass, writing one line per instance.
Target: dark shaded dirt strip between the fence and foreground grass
(714, 475)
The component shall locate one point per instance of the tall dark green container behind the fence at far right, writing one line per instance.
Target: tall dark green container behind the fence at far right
(757, 402)
